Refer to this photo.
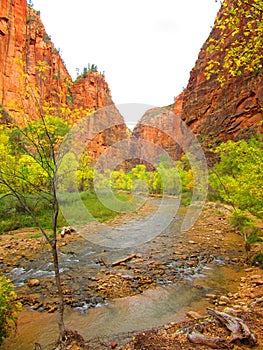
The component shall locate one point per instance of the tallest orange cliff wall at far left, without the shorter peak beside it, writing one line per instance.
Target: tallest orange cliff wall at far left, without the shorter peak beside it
(24, 44)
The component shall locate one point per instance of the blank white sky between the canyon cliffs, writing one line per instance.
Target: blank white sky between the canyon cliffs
(147, 48)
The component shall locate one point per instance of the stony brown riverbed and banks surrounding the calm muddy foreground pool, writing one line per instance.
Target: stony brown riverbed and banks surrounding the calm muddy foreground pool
(92, 275)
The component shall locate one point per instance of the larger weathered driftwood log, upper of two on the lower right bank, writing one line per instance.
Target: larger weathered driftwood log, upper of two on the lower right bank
(235, 325)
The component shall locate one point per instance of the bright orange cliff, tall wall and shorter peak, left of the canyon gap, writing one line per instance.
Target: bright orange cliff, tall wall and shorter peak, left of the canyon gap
(31, 69)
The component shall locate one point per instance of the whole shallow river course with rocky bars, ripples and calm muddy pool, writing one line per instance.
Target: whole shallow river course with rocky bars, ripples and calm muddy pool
(170, 274)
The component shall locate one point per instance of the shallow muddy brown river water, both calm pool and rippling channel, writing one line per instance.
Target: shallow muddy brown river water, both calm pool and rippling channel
(169, 301)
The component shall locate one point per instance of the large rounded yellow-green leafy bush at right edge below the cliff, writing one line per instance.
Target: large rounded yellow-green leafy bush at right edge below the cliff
(237, 178)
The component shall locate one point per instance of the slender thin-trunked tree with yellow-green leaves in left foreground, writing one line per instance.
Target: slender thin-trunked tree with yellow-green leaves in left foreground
(29, 156)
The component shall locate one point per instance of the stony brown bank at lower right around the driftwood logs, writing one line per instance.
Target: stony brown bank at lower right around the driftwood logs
(246, 304)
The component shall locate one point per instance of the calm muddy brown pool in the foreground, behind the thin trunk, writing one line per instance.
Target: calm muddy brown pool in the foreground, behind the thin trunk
(150, 309)
